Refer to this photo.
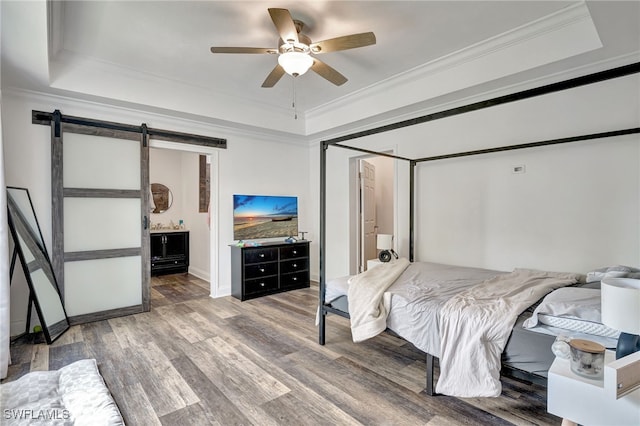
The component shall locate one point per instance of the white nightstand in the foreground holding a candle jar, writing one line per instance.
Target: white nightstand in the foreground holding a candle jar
(587, 402)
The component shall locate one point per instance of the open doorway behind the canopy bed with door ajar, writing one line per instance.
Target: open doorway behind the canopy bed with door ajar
(373, 207)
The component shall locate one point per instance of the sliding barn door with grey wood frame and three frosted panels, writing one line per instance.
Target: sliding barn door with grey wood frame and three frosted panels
(100, 219)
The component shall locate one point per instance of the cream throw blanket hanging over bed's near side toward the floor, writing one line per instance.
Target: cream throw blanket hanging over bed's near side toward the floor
(475, 326)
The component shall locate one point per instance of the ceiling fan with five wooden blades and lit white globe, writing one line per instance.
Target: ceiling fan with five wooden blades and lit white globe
(294, 50)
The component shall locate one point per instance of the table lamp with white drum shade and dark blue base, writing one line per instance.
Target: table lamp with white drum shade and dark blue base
(621, 311)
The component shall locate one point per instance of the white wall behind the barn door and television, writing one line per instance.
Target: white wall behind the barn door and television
(253, 163)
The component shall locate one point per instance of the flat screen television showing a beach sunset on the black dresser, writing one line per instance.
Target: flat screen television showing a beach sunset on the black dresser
(264, 216)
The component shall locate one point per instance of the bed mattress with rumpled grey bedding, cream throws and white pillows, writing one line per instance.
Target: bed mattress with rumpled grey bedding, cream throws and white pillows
(417, 295)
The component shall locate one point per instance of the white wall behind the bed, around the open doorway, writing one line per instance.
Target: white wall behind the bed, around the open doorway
(576, 208)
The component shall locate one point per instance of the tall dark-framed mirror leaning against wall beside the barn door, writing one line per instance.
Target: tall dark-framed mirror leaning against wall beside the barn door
(29, 247)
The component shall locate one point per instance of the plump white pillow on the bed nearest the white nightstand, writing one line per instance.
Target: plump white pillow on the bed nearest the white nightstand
(572, 308)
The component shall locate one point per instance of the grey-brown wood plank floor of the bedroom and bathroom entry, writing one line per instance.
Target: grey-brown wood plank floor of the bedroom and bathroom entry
(197, 360)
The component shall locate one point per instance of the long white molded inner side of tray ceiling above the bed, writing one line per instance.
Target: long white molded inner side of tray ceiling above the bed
(553, 37)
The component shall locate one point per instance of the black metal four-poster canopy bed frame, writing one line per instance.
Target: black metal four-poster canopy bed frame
(326, 307)
